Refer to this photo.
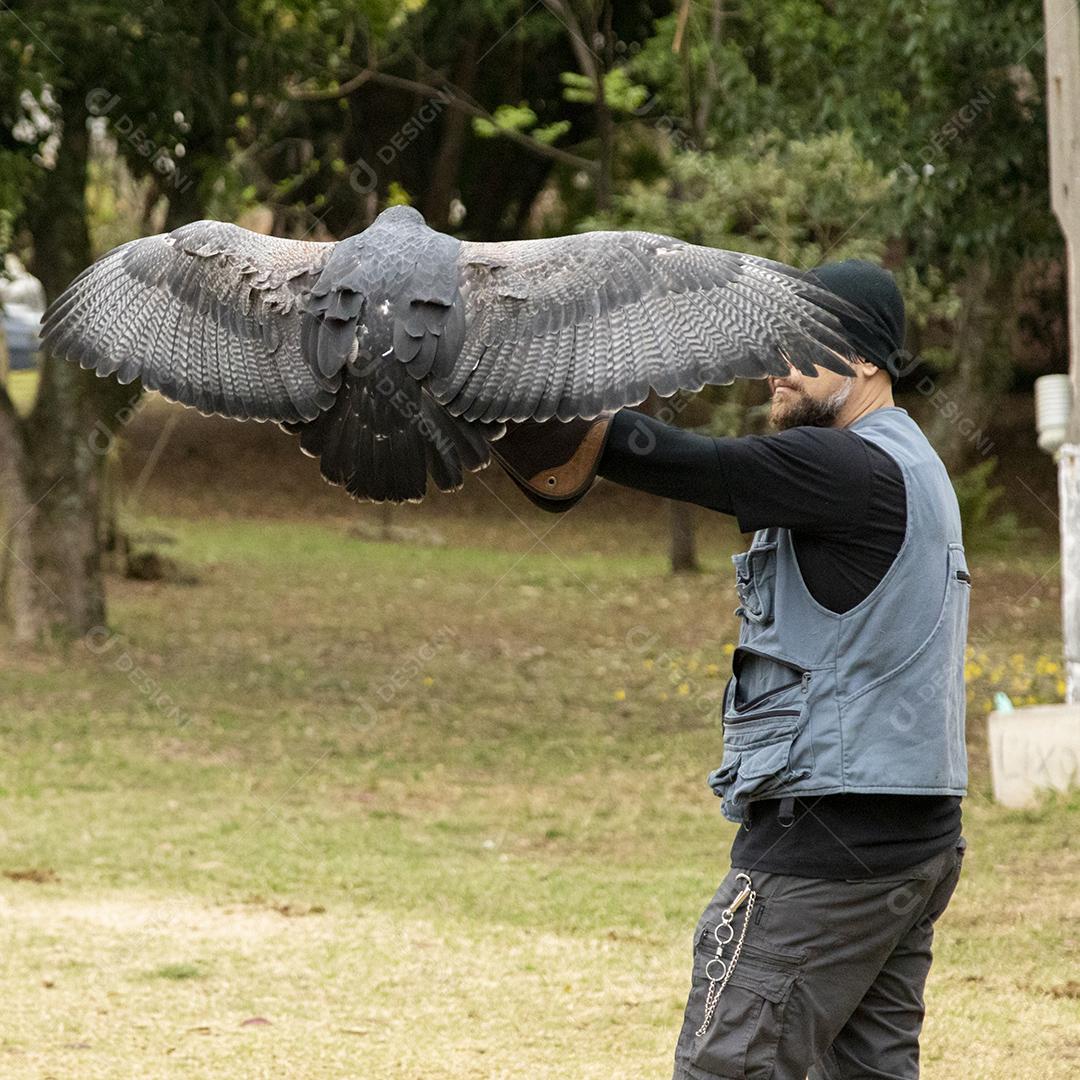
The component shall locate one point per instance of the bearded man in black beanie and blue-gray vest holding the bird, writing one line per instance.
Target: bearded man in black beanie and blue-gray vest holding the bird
(844, 747)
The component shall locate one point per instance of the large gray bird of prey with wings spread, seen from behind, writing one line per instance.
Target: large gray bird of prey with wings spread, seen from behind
(400, 353)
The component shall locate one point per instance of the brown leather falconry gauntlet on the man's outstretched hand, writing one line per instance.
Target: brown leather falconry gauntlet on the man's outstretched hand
(555, 463)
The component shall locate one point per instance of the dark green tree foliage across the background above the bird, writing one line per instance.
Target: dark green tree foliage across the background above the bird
(912, 134)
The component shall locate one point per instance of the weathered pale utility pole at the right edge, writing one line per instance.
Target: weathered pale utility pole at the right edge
(1063, 117)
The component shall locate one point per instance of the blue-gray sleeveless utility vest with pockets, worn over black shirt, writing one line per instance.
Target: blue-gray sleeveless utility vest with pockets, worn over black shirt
(872, 700)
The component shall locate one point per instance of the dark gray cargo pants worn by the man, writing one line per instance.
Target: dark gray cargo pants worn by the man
(830, 980)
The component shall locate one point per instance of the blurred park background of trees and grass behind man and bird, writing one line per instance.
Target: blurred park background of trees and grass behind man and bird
(286, 778)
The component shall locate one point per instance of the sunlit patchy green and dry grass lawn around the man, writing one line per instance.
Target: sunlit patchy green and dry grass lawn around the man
(435, 813)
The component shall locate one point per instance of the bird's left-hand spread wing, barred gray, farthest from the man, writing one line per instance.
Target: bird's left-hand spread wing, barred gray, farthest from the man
(208, 316)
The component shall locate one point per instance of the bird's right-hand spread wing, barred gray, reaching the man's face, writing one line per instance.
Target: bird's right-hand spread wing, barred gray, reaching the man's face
(578, 326)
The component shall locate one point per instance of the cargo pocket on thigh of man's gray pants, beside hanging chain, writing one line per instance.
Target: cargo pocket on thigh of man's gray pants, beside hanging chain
(742, 1036)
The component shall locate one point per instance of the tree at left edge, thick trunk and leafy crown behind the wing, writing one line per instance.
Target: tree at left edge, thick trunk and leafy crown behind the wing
(186, 87)
